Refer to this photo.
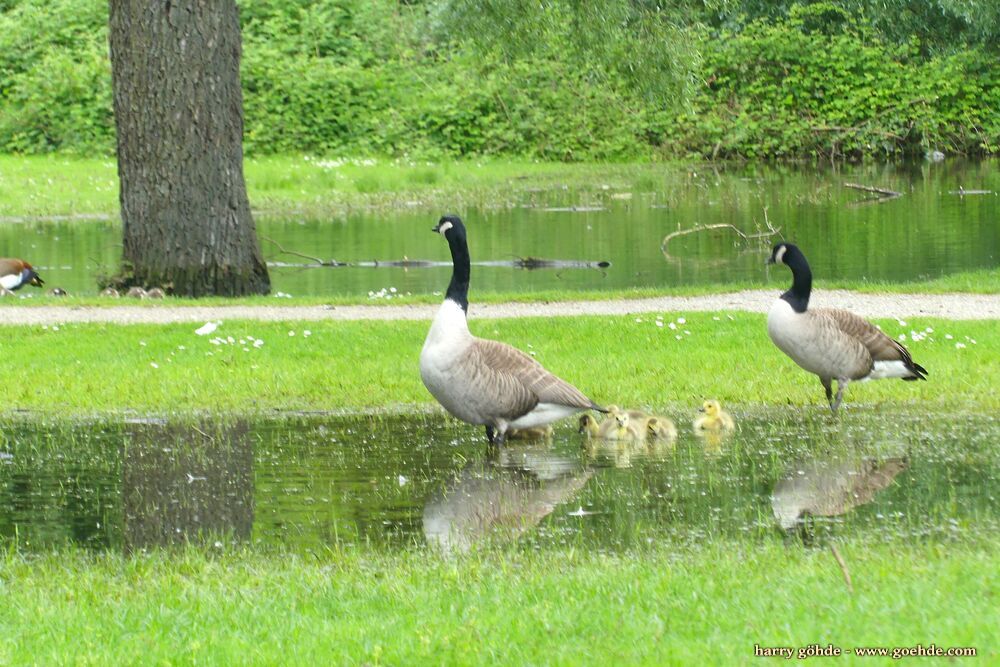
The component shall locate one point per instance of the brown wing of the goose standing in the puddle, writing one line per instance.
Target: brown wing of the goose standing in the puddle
(518, 376)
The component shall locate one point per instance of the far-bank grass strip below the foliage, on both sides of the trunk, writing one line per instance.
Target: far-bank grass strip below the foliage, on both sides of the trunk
(32, 186)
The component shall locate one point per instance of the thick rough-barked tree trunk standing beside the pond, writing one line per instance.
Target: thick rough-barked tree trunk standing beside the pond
(179, 115)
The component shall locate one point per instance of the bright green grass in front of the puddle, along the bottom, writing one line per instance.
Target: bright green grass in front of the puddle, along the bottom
(707, 604)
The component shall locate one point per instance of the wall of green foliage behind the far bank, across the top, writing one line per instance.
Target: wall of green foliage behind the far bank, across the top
(559, 80)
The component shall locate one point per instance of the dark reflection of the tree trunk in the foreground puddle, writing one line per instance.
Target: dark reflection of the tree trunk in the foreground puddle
(184, 483)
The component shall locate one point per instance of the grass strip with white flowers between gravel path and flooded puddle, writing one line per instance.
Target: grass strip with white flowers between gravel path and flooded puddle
(367, 364)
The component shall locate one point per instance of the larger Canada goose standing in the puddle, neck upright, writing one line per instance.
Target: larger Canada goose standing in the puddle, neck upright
(484, 381)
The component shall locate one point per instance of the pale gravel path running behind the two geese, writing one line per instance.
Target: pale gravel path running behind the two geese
(953, 306)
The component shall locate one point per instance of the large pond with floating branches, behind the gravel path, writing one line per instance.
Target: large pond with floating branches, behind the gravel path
(929, 231)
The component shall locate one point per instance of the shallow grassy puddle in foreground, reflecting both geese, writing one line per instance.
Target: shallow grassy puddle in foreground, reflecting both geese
(308, 483)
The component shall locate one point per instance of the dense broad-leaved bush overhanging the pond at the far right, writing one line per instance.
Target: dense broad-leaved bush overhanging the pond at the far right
(819, 83)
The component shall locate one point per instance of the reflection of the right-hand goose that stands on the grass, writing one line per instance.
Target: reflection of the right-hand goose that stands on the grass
(827, 489)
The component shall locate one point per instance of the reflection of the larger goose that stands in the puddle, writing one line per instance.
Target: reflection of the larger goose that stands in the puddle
(501, 498)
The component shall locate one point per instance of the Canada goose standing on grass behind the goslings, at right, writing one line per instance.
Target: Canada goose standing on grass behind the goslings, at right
(832, 343)
